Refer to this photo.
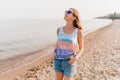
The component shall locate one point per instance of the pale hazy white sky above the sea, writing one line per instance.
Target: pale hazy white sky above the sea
(55, 8)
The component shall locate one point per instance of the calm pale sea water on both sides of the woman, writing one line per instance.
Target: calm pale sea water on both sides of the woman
(20, 36)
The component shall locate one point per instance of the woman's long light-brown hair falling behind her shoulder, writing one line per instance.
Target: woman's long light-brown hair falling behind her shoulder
(76, 22)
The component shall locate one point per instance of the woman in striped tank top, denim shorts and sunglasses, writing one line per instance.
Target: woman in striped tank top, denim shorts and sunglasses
(69, 46)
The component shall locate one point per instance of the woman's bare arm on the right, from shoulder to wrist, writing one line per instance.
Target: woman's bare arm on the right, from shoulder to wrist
(80, 43)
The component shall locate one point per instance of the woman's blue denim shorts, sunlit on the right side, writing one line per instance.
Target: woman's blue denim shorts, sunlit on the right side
(61, 65)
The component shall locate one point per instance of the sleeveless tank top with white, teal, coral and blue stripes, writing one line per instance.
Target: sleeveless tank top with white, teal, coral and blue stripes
(67, 44)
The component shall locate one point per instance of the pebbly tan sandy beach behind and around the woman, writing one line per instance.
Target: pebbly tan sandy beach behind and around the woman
(99, 61)
